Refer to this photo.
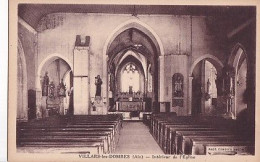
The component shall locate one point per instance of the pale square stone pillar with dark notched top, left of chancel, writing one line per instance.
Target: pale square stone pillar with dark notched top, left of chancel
(81, 76)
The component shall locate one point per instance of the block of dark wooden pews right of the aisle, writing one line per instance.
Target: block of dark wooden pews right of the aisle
(167, 131)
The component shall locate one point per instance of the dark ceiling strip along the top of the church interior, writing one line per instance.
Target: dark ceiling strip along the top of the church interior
(32, 13)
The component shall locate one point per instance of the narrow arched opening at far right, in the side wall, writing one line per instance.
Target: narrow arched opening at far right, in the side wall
(238, 60)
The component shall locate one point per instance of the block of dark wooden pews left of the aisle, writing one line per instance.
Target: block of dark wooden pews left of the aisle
(100, 135)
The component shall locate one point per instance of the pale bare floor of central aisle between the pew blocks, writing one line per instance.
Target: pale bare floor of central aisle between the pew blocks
(135, 138)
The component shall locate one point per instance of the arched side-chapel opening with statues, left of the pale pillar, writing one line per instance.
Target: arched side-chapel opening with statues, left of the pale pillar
(56, 82)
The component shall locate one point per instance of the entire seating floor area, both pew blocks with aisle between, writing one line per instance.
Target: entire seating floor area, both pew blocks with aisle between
(110, 134)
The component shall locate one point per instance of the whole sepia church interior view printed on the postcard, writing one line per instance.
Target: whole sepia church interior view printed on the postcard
(145, 79)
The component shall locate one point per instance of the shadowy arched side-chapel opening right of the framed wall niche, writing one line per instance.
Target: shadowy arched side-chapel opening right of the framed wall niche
(205, 89)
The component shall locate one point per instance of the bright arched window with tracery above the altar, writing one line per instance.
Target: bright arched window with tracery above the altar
(130, 79)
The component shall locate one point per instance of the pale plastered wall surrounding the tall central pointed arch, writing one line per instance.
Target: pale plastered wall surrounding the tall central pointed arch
(183, 39)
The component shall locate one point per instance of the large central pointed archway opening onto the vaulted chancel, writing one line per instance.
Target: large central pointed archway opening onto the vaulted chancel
(134, 48)
